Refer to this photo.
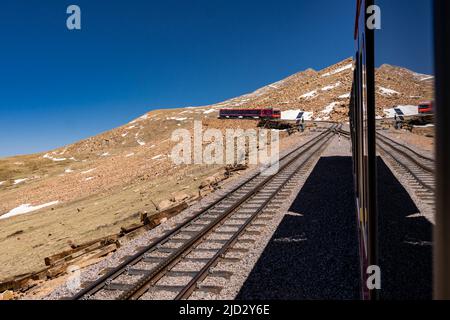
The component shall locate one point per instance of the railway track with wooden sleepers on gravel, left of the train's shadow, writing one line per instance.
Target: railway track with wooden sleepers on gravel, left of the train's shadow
(176, 265)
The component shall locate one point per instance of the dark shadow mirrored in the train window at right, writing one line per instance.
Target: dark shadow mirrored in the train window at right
(405, 242)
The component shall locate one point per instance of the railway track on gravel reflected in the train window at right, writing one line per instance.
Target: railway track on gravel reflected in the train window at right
(417, 168)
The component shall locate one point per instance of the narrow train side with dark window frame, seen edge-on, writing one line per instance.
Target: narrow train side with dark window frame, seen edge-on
(362, 125)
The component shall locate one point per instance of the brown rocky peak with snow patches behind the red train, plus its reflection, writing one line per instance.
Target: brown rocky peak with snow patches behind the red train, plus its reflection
(325, 94)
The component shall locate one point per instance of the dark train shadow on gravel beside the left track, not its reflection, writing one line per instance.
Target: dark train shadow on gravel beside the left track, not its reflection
(313, 253)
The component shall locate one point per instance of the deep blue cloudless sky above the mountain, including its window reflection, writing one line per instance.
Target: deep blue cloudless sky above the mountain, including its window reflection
(59, 86)
